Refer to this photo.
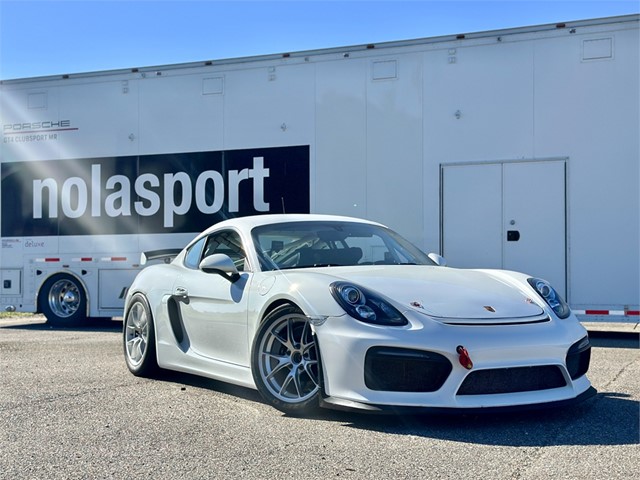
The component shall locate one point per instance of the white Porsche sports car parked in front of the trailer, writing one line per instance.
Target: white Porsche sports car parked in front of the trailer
(334, 311)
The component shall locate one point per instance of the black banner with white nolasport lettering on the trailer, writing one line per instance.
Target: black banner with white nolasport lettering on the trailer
(181, 192)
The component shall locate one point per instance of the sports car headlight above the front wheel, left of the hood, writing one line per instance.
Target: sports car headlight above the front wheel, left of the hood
(366, 306)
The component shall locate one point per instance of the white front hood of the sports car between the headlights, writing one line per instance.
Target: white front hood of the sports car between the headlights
(446, 292)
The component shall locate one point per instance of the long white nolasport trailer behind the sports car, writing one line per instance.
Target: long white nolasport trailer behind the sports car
(515, 149)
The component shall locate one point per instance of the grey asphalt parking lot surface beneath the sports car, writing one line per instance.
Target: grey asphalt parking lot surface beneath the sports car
(69, 408)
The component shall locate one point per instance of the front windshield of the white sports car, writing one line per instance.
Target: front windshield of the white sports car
(326, 243)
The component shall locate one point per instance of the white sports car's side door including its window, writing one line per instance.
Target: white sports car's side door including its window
(213, 308)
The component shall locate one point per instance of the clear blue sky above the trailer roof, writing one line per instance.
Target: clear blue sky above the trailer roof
(52, 37)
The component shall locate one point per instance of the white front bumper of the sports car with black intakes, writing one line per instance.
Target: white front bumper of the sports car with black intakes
(514, 365)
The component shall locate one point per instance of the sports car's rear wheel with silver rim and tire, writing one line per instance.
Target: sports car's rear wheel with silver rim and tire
(138, 338)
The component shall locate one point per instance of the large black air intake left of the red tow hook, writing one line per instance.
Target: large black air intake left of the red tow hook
(405, 370)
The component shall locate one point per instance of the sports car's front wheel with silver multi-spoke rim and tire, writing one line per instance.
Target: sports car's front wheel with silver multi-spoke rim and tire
(285, 362)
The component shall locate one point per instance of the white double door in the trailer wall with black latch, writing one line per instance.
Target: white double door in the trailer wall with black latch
(510, 216)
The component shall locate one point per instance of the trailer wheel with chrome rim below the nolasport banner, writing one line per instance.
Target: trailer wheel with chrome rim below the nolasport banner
(63, 301)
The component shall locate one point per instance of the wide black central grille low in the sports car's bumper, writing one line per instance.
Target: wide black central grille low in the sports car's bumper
(511, 380)
